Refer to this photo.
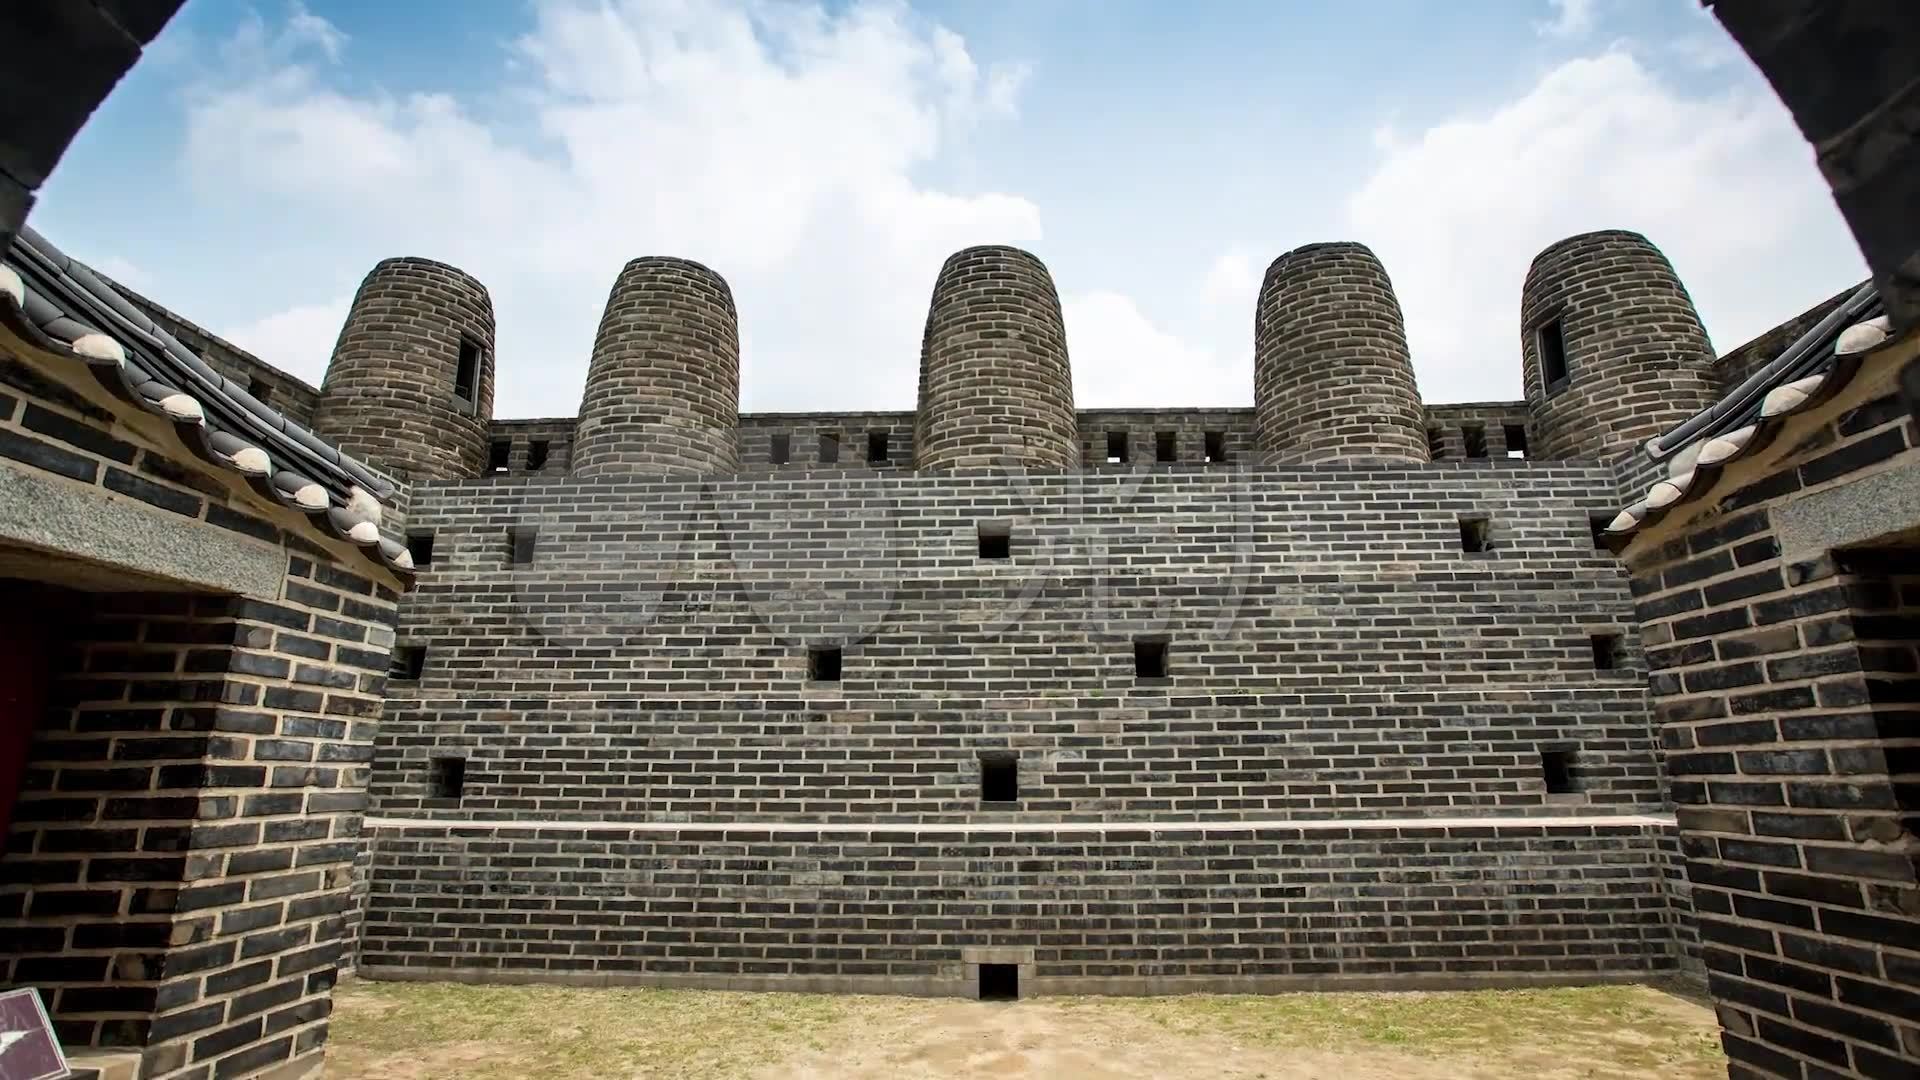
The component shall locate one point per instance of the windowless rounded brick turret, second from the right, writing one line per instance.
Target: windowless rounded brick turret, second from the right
(1332, 372)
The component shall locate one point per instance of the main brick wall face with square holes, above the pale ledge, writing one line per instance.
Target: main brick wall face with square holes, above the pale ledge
(652, 658)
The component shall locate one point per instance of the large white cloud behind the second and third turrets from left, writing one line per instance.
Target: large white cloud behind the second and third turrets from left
(777, 143)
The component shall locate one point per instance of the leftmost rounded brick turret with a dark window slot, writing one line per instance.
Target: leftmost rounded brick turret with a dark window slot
(412, 381)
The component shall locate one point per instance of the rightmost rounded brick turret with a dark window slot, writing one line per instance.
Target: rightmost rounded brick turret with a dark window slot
(1614, 351)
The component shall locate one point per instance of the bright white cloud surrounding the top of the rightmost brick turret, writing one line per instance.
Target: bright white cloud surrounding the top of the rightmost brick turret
(1723, 184)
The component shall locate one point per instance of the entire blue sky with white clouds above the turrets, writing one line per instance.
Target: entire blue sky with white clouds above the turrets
(827, 157)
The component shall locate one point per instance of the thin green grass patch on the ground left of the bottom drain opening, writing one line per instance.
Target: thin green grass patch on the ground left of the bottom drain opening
(408, 1031)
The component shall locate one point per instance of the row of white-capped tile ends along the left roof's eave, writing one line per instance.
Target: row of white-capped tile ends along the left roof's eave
(108, 362)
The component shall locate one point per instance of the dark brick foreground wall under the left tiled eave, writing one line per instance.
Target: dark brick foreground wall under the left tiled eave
(176, 871)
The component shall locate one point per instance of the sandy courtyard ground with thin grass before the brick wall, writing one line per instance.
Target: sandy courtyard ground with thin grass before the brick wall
(500, 1033)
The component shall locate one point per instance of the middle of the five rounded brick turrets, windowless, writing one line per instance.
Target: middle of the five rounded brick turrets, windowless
(996, 385)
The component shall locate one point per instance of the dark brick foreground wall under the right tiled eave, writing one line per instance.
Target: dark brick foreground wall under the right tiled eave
(1787, 693)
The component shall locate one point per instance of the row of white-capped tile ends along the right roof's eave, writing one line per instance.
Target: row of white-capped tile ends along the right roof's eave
(1698, 470)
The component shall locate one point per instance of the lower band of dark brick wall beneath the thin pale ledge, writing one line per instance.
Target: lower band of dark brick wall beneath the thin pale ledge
(1105, 908)
